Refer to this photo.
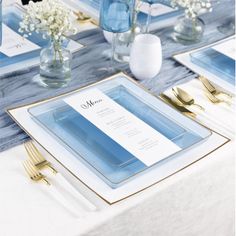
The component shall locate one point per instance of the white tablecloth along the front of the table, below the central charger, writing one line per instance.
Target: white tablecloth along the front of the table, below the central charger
(196, 201)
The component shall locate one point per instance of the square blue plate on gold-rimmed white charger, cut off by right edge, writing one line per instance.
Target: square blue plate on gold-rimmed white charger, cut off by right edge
(215, 66)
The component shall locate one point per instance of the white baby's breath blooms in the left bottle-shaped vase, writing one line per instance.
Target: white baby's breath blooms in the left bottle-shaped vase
(49, 17)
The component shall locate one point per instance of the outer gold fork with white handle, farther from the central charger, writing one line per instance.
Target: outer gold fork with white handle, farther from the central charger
(36, 176)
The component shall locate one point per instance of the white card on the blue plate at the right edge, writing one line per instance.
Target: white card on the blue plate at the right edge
(227, 48)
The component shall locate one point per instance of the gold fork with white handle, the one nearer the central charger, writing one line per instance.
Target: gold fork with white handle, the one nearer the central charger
(40, 162)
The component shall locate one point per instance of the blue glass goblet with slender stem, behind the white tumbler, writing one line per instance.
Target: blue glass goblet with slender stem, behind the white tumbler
(116, 17)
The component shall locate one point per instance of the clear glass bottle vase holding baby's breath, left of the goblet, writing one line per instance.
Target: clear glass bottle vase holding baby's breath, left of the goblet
(55, 65)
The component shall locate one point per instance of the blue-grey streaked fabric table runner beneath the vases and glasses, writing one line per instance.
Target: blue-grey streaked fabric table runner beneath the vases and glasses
(17, 88)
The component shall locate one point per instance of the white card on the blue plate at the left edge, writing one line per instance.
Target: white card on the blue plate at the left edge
(14, 44)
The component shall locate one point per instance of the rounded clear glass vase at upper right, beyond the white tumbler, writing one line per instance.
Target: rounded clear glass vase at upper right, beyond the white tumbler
(188, 30)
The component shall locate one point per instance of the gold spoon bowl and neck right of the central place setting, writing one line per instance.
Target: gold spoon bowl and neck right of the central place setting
(185, 98)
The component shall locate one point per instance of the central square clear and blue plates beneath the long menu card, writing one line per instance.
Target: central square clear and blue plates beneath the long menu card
(102, 155)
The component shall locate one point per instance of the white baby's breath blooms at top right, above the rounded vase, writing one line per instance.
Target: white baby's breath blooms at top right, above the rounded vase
(193, 7)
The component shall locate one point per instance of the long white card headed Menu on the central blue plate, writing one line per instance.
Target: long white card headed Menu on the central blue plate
(137, 137)
